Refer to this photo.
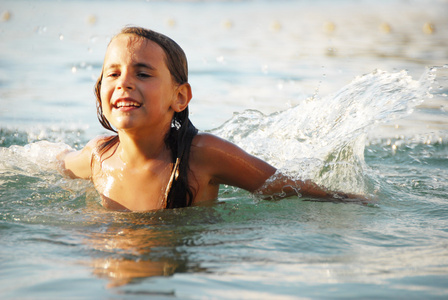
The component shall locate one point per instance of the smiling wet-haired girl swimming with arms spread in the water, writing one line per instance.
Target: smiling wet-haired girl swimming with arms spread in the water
(158, 159)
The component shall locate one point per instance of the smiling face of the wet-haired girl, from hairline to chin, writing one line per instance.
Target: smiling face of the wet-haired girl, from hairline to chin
(137, 90)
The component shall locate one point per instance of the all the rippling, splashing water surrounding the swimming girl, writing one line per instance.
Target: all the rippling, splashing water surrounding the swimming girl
(350, 94)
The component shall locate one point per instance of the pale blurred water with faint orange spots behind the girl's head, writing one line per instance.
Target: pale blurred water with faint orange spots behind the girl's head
(263, 55)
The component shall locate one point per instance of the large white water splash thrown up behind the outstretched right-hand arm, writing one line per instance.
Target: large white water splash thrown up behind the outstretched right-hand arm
(324, 139)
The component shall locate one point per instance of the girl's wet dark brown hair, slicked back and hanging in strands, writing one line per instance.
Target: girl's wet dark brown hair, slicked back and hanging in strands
(182, 131)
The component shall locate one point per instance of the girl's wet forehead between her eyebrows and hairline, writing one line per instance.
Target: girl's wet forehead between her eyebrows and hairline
(133, 48)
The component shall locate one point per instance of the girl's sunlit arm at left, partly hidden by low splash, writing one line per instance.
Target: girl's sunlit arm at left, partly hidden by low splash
(77, 164)
